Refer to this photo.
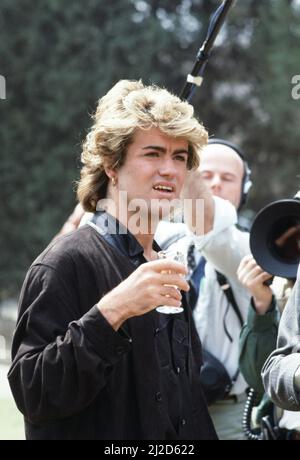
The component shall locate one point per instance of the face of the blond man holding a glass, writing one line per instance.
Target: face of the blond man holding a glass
(155, 167)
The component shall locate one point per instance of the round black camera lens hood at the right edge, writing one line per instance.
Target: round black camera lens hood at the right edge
(275, 237)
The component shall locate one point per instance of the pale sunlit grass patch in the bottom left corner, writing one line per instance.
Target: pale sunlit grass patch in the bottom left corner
(11, 421)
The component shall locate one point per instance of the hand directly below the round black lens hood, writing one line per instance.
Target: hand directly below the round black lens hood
(253, 277)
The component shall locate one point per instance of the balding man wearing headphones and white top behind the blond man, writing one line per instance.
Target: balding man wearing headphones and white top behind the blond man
(219, 304)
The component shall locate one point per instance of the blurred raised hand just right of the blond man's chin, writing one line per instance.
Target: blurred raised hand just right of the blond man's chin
(196, 189)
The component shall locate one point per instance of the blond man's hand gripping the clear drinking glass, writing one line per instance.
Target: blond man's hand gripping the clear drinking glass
(150, 285)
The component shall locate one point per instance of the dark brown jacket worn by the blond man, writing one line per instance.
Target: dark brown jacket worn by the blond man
(74, 377)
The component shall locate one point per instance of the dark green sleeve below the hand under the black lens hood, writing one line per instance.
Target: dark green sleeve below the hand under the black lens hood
(257, 341)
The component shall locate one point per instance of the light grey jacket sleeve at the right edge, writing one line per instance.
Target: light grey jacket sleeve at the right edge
(279, 370)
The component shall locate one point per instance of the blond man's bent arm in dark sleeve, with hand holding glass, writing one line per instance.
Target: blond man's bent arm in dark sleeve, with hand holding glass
(62, 358)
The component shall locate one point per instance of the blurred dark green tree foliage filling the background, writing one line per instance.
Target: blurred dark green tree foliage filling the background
(59, 57)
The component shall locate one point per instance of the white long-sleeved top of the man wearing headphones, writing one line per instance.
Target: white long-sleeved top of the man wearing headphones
(223, 247)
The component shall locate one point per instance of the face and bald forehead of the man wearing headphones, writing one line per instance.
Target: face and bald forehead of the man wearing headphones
(222, 169)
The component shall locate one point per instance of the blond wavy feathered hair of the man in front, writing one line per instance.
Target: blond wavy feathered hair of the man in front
(129, 106)
